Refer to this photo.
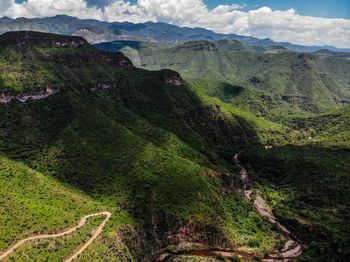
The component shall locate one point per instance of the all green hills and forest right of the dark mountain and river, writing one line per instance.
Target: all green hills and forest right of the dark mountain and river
(304, 170)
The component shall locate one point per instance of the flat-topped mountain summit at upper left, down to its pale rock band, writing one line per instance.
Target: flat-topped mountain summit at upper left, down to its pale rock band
(32, 61)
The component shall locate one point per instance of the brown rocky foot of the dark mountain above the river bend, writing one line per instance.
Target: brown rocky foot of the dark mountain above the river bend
(176, 235)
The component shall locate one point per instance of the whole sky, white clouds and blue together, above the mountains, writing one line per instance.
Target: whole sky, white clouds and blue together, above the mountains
(308, 22)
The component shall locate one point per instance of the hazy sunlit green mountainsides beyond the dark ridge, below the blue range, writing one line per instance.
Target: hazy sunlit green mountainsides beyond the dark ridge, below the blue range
(271, 82)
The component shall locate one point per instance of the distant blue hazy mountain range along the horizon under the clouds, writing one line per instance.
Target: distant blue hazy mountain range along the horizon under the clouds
(96, 31)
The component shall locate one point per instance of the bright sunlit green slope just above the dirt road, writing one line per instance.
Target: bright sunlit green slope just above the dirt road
(32, 202)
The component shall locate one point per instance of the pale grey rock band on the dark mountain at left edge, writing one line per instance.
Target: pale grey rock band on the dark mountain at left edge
(24, 97)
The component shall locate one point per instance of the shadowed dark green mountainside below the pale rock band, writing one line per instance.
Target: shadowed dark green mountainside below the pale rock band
(144, 147)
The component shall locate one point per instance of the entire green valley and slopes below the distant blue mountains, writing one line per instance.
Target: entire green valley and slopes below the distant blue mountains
(198, 150)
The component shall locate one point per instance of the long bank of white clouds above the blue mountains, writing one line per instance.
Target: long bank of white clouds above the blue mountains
(285, 25)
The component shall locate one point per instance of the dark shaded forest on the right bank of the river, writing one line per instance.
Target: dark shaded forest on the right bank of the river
(309, 188)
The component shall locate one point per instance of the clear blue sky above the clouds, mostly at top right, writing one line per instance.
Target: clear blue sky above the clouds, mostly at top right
(321, 8)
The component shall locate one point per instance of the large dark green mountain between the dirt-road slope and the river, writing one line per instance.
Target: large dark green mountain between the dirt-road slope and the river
(138, 143)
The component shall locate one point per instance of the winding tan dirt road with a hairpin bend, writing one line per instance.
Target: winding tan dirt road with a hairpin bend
(69, 231)
